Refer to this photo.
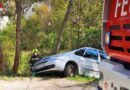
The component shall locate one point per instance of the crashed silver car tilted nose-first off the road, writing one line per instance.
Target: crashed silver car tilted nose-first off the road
(83, 61)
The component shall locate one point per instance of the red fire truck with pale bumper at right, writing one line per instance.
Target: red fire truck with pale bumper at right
(115, 74)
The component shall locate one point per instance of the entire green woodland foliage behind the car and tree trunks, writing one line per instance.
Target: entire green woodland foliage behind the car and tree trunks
(83, 29)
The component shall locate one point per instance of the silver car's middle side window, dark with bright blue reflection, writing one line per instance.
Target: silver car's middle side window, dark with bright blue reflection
(91, 53)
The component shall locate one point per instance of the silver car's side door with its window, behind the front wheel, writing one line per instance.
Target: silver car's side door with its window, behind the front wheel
(92, 59)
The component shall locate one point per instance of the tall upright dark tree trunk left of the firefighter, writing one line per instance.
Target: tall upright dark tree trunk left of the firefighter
(18, 27)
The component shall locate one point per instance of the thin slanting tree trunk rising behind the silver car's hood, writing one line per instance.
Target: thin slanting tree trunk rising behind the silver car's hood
(63, 26)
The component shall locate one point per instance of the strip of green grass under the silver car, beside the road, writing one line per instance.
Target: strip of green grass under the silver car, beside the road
(82, 79)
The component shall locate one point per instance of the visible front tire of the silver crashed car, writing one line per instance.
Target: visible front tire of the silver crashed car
(70, 70)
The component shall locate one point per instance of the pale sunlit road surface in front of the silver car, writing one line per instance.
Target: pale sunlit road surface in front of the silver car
(45, 84)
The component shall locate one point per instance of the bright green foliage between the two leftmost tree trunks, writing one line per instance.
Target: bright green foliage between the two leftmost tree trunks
(8, 37)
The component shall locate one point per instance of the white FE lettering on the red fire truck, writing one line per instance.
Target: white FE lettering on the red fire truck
(123, 12)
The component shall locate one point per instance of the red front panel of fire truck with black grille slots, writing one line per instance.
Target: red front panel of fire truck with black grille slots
(118, 24)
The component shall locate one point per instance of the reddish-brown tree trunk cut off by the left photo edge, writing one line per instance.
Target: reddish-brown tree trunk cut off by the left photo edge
(2, 68)
